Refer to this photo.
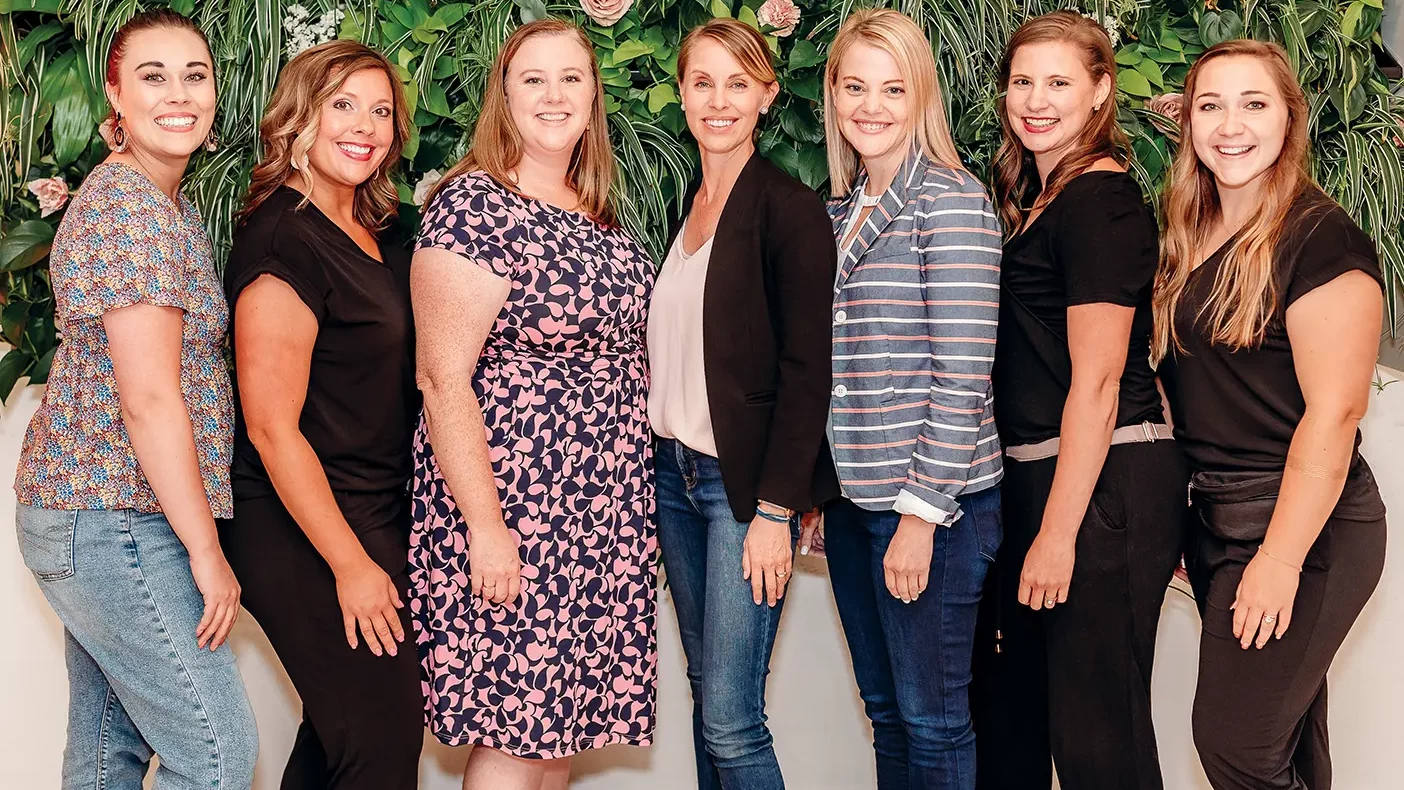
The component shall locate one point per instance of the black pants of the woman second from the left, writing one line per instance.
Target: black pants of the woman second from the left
(363, 716)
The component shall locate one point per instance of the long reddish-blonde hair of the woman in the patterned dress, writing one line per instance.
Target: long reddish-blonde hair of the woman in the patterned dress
(498, 144)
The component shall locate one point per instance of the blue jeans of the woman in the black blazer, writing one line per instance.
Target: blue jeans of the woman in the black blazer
(727, 636)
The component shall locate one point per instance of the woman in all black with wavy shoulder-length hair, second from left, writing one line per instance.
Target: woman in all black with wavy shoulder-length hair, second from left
(325, 354)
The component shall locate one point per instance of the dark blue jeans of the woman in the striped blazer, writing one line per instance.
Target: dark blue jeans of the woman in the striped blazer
(913, 660)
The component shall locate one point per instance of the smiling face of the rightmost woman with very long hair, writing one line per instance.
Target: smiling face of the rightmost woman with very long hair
(1239, 120)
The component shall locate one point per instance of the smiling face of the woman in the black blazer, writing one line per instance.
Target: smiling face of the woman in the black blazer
(721, 100)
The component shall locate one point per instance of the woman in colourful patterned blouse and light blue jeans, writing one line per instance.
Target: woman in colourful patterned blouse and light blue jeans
(126, 467)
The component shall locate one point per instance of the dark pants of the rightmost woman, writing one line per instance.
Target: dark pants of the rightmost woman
(1260, 715)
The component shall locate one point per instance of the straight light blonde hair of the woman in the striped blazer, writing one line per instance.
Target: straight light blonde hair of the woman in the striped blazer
(896, 36)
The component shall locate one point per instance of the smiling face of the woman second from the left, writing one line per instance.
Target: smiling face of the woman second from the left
(355, 131)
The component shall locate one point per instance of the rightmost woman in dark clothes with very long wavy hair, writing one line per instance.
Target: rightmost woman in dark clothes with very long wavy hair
(1269, 309)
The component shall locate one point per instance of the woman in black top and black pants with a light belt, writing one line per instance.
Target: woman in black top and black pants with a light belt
(1094, 495)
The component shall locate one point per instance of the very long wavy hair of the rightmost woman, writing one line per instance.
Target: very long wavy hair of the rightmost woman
(1245, 295)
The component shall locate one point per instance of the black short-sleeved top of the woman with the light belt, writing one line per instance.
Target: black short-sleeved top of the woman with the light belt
(1094, 243)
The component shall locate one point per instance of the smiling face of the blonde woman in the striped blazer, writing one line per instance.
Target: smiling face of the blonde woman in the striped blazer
(874, 105)
